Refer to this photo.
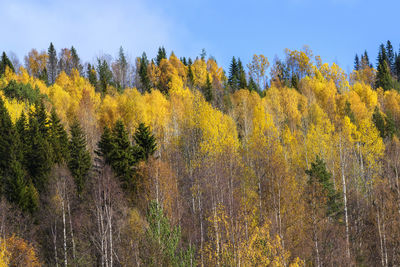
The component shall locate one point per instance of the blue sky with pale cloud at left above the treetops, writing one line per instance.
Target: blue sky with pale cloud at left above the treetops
(334, 29)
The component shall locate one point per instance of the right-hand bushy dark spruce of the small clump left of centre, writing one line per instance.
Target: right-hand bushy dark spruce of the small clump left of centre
(145, 142)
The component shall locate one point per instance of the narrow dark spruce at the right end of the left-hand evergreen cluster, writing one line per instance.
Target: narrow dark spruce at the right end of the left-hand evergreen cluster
(79, 162)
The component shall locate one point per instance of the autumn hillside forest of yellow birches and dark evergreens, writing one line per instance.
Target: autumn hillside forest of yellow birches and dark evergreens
(177, 162)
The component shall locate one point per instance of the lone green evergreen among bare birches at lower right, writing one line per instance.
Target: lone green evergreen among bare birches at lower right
(322, 189)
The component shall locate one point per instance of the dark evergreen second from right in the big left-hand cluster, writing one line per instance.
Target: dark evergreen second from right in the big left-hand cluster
(58, 139)
